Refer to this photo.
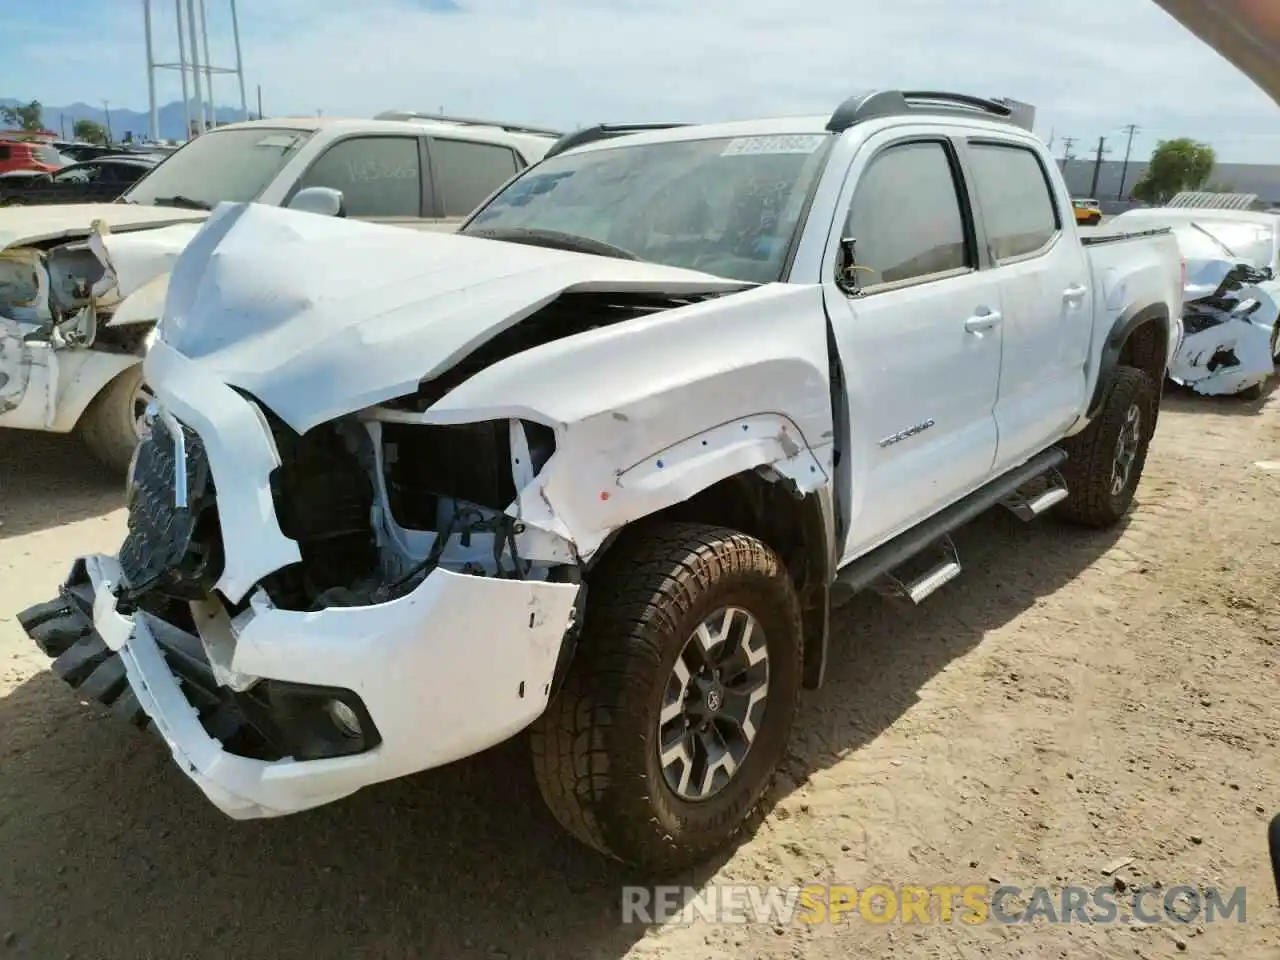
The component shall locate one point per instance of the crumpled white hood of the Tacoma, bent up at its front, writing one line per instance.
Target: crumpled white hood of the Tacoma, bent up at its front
(321, 317)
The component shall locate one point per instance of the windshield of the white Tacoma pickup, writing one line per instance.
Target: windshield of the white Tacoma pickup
(728, 207)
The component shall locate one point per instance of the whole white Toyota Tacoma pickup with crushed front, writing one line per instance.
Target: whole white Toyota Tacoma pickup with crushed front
(601, 464)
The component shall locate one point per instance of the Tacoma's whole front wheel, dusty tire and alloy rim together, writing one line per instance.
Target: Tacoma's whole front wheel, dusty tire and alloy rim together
(676, 711)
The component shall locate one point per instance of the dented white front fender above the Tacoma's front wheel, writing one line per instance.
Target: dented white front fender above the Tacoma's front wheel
(650, 413)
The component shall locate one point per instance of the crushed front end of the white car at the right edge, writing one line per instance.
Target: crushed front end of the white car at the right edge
(1231, 344)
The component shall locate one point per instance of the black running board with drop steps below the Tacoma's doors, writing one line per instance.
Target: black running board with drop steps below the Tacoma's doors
(936, 531)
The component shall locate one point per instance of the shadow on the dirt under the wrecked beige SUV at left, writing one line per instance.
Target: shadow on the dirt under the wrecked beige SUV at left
(49, 481)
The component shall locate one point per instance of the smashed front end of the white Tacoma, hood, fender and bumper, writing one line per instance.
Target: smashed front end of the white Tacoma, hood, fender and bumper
(360, 518)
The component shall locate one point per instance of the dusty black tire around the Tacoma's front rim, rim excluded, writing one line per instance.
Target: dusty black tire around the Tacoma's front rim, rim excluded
(596, 748)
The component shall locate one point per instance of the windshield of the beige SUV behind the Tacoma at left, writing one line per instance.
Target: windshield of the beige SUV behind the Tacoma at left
(234, 166)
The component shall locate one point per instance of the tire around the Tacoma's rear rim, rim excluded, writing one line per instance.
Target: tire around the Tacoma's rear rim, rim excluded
(1091, 454)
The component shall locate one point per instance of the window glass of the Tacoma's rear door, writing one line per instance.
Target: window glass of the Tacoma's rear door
(1017, 202)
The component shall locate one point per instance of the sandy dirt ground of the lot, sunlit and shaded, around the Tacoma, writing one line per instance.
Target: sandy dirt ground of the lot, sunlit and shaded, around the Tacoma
(1071, 702)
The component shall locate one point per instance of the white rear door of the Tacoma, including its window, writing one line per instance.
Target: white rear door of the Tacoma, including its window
(1045, 286)
